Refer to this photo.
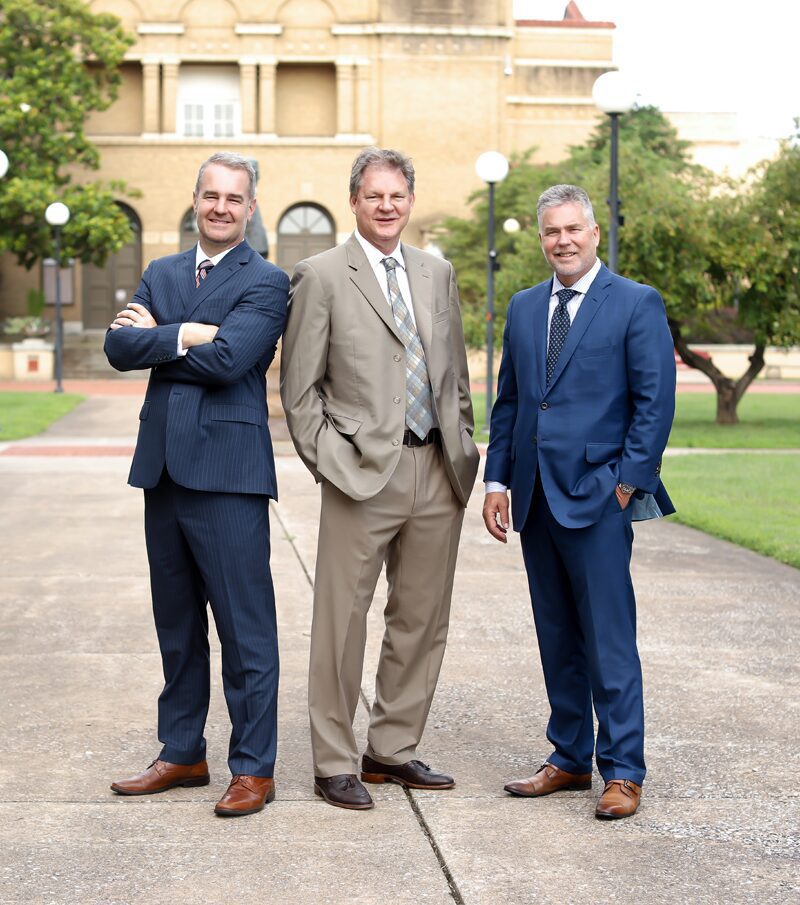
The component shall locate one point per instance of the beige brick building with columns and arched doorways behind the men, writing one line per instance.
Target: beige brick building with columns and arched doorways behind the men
(300, 86)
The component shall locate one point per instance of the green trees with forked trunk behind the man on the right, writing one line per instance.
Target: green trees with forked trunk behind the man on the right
(700, 246)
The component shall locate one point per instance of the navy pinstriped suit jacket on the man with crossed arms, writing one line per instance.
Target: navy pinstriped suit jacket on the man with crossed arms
(205, 414)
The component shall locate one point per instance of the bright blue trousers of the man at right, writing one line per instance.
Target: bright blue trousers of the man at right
(585, 615)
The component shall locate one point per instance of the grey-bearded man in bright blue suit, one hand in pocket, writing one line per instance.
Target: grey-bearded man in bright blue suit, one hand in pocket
(586, 396)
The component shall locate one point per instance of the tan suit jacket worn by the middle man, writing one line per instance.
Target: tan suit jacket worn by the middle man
(343, 371)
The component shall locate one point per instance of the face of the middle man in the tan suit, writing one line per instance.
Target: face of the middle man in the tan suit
(382, 206)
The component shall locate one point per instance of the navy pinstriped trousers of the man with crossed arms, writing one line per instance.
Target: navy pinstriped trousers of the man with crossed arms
(206, 547)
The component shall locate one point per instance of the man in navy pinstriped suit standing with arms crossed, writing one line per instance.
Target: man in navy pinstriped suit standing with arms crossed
(206, 322)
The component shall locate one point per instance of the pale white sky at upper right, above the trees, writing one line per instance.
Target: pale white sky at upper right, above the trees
(704, 55)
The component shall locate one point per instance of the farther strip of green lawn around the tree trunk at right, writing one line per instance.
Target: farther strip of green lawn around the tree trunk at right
(767, 421)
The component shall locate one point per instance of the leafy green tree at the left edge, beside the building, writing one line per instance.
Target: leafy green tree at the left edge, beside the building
(58, 63)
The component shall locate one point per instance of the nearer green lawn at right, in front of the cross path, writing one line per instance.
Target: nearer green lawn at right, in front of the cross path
(751, 499)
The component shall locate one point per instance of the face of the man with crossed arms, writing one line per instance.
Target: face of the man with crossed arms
(223, 207)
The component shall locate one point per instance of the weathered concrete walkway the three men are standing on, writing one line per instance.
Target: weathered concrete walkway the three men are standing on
(80, 674)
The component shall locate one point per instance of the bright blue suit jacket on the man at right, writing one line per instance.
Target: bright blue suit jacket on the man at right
(607, 413)
